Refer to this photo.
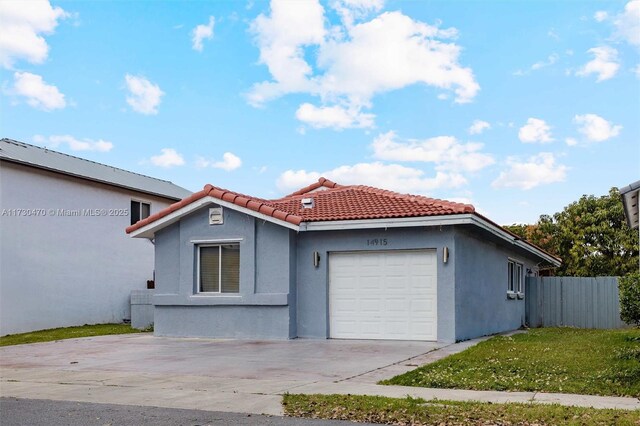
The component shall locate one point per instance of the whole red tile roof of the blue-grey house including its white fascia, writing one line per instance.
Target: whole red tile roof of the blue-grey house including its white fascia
(335, 206)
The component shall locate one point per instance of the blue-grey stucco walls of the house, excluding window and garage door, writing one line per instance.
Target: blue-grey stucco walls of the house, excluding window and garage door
(283, 295)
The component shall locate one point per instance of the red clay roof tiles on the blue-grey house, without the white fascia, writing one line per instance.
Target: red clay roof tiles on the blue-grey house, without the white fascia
(336, 202)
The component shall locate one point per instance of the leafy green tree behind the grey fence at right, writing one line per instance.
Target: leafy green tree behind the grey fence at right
(591, 236)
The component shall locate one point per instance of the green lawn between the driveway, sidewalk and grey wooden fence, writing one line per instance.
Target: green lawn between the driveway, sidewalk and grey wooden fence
(566, 360)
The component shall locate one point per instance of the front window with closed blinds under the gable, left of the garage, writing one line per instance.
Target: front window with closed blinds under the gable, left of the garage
(219, 268)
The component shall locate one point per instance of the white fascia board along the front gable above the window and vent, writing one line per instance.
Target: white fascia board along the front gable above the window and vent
(148, 231)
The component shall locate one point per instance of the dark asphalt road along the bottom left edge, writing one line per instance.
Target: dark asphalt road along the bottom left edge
(19, 412)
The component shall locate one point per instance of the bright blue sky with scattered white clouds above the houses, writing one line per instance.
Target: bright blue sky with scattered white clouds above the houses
(516, 107)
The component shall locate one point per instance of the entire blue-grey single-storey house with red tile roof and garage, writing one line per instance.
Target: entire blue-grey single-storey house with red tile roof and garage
(334, 261)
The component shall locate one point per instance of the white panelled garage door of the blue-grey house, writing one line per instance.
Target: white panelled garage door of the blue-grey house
(383, 295)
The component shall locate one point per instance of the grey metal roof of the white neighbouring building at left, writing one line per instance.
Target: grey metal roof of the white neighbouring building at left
(44, 158)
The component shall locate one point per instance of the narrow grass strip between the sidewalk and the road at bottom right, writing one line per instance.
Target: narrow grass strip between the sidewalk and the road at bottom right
(413, 411)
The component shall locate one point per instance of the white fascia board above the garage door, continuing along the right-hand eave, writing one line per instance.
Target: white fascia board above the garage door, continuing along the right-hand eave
(444, 220)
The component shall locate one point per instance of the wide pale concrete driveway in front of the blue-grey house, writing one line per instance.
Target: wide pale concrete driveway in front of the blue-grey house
(222, 375)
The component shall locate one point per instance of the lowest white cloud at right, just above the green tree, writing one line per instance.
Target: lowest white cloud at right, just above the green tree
(540, 169)
